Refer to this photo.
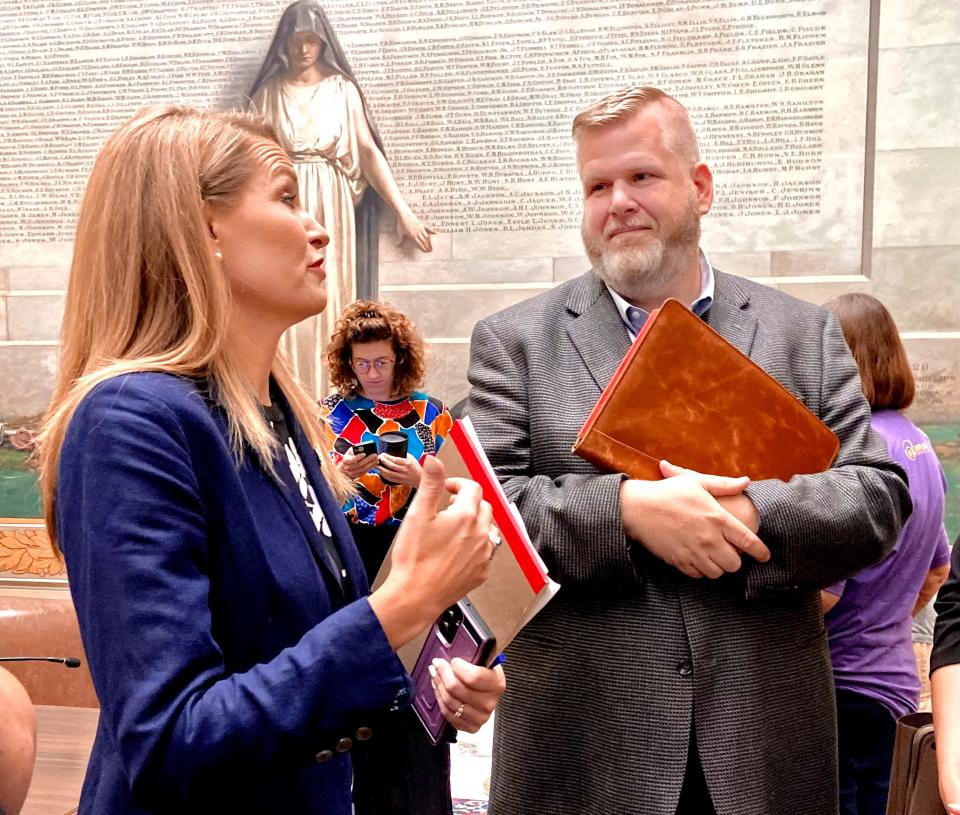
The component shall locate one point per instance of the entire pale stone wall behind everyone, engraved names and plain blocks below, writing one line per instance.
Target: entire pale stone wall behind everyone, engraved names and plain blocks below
(506, 203)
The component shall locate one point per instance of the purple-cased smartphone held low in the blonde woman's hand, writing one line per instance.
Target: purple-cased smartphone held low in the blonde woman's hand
(458, 632)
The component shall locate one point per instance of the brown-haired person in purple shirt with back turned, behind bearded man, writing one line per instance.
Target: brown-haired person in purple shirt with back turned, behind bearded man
(868, 616)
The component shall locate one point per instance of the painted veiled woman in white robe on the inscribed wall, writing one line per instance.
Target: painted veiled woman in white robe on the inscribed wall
(308, 92)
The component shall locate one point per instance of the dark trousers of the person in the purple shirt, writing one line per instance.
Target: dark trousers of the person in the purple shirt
(865, 731)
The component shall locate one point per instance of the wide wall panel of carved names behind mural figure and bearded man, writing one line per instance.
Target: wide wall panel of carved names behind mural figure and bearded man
(474, 101)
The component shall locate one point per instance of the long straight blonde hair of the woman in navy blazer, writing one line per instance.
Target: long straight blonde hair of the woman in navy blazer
(145, 292)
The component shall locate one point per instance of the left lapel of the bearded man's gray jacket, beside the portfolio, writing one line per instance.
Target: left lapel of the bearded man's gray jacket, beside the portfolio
(597, 330)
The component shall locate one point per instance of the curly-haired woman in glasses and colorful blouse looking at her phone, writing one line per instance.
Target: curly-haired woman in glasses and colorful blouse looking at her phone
(377, 361)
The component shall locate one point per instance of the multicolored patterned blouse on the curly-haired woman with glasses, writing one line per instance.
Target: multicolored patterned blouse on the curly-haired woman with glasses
(423, 419)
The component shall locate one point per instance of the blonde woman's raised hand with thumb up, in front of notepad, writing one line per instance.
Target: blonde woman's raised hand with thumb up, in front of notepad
(437, 557)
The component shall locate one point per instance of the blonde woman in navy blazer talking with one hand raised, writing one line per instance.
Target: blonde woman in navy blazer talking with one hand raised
(237, 655)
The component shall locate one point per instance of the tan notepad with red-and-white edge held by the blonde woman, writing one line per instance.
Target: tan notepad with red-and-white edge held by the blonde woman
(518, 586)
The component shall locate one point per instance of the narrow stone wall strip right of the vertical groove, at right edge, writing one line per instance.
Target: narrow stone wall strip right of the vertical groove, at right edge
(916, 241)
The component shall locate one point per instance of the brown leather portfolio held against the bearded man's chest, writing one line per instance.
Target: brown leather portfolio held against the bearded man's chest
(685, 394)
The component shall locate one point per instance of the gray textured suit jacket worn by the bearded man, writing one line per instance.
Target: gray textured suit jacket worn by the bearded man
(600, 698)
